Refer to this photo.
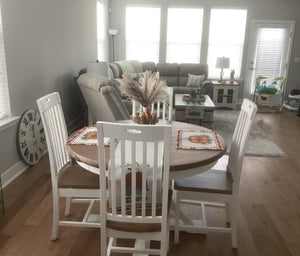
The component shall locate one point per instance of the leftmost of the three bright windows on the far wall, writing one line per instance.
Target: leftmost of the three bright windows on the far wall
(142, 33)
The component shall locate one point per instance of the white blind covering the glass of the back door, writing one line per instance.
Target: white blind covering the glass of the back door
(271, 51)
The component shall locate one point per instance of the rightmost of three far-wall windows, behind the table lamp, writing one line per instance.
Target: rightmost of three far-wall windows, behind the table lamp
(226, 38)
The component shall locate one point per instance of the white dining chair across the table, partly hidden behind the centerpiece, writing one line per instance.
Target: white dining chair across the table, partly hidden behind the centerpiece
(164, 110)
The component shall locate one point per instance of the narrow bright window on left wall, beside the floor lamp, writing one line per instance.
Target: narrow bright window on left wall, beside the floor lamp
(101, 31)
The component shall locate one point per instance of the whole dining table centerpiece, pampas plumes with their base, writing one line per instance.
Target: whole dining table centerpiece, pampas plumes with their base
(147, 90)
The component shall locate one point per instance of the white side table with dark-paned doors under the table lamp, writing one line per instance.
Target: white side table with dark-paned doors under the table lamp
(225, 93)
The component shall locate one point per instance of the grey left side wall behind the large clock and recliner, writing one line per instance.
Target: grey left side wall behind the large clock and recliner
(46, 43)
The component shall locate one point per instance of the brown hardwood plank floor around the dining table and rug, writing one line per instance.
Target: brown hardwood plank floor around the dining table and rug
(268, 214)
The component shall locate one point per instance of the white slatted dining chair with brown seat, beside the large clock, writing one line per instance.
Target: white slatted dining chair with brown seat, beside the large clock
(68, 180)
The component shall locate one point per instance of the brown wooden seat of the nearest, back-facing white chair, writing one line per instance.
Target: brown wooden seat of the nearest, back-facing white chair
(139, 227)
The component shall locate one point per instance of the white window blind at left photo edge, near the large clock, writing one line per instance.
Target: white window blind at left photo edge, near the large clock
(4, 97)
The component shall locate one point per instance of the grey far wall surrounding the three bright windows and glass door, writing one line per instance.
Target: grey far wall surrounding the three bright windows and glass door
(257, 10)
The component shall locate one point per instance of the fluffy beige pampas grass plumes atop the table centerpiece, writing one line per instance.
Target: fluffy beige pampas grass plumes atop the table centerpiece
(147, 90)
